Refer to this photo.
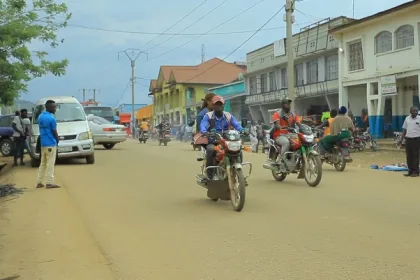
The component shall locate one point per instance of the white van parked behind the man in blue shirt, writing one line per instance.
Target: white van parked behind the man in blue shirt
(72, 127)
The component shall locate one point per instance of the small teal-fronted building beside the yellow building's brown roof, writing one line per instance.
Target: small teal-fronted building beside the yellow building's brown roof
(234, 95)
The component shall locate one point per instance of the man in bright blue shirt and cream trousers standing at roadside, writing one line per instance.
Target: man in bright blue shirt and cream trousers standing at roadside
(49, 142)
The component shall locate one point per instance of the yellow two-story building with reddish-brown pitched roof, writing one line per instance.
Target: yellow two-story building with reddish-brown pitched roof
(178, 91)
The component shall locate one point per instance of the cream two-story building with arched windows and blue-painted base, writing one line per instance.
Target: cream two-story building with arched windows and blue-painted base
(379, 62)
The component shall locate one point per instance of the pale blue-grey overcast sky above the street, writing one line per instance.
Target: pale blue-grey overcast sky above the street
(93, 54)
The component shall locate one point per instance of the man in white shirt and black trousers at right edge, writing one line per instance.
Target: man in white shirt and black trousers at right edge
(411, 134)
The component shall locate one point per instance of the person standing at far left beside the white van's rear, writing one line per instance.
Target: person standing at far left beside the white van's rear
(19, 137)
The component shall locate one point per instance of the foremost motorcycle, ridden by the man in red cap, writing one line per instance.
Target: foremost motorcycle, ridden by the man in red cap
(229, 182)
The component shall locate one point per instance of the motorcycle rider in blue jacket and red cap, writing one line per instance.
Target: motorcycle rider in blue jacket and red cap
(223, 121)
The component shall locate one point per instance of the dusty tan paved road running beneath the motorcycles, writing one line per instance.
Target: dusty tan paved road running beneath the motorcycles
(141, 208)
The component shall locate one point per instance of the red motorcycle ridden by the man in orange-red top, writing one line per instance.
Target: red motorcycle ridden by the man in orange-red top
(301, 159)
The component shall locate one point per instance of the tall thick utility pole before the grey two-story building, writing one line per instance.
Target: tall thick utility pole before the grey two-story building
(290, 7)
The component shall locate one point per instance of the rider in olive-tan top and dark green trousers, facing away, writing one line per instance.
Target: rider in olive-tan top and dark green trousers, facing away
(341, 128)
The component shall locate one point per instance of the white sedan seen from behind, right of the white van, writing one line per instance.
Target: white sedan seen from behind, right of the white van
(105, 132)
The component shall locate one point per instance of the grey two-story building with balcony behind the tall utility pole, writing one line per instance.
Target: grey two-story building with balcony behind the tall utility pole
(316, 72)
